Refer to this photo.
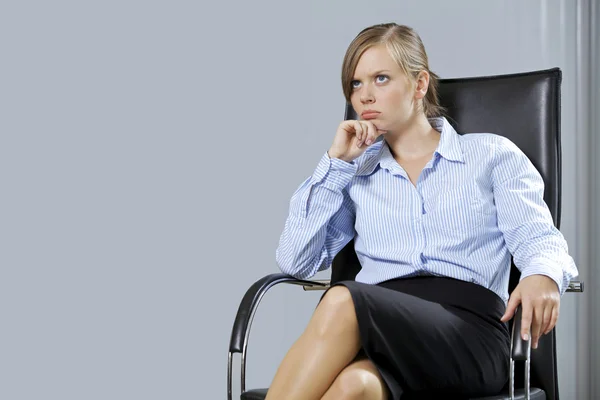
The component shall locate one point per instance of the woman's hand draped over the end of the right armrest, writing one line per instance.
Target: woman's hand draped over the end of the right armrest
(540, 299)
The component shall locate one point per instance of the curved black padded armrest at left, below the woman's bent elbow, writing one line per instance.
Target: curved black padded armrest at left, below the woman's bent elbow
(252, 298)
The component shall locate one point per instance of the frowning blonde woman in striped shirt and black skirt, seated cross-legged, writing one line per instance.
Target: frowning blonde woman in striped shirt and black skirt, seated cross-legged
(435, 217)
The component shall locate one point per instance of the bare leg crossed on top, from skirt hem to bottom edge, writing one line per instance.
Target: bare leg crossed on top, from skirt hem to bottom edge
(329, 343)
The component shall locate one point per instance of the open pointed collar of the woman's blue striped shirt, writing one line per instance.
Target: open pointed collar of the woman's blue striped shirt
(379, 154)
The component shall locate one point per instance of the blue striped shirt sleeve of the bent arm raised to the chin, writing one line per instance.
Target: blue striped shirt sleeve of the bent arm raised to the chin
(320, 221)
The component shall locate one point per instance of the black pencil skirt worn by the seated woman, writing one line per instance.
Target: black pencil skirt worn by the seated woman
(433, 337)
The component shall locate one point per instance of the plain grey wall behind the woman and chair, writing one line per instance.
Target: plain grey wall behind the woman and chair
(148, 152)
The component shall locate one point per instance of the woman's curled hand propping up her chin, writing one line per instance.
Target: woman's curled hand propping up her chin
(352, 139)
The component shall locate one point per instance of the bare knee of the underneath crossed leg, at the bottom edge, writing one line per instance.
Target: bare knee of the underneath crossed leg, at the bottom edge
(359, 380)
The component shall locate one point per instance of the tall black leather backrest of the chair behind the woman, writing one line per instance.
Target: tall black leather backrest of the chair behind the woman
(526, 109)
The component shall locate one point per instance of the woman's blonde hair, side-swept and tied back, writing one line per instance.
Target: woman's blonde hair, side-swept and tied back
(406, 48)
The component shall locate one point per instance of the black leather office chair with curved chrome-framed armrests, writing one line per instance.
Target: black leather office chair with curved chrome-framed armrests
(522, 107)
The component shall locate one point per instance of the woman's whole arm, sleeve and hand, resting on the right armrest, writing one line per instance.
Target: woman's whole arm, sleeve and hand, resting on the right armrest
(539, 250)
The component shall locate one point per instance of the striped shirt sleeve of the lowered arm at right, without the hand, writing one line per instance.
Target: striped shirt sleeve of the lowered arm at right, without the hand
(525, 220)
